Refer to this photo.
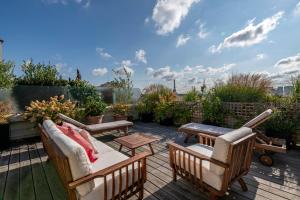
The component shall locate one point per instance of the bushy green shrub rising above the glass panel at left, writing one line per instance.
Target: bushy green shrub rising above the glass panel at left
(40, 74)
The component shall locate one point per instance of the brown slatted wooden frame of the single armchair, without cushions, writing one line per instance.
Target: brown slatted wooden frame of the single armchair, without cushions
(238, 163)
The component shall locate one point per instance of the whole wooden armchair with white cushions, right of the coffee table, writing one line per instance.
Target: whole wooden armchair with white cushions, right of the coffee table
(215, 168)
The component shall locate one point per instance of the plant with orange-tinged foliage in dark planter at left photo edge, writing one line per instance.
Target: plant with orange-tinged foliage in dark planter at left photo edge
(5, 110)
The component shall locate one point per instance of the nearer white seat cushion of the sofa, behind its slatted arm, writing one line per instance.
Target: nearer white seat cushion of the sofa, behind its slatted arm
(105, 160)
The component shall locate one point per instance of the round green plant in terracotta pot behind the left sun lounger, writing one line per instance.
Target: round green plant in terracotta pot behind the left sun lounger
(94, 109)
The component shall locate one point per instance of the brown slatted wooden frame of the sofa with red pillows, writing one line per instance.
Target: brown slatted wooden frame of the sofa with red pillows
(61, 163)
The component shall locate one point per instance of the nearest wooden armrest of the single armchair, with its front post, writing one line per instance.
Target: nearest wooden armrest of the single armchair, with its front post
(173, 146)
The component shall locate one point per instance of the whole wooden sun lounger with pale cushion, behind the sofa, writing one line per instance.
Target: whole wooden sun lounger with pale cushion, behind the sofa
(99, 128)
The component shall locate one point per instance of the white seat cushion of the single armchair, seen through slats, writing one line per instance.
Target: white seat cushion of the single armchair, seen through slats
(208, 176)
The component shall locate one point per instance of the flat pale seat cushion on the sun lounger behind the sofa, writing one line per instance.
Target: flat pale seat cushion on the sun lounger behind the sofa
(108, 126)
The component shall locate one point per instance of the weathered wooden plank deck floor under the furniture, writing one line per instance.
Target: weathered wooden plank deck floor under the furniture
(26, 174)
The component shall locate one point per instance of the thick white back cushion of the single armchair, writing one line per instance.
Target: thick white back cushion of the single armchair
(222, 145)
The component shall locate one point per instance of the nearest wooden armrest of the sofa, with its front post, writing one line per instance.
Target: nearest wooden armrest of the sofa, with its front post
(111, 169)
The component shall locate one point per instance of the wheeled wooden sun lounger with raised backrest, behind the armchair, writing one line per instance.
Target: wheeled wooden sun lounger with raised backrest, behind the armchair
(263, 143)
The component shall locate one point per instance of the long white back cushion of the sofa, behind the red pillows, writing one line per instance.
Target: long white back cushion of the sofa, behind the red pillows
(78, 159)
